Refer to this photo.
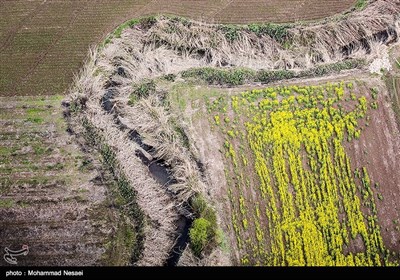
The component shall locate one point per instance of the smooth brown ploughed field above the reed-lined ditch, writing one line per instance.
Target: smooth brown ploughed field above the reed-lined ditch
(43, 43)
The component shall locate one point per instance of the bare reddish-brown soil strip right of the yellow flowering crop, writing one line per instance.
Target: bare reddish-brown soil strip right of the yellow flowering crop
(379, 150)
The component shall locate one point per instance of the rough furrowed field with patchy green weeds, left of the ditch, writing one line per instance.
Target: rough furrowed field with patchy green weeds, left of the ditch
(51, 197)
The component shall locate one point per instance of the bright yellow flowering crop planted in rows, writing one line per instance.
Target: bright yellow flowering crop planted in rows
(308, 207)
